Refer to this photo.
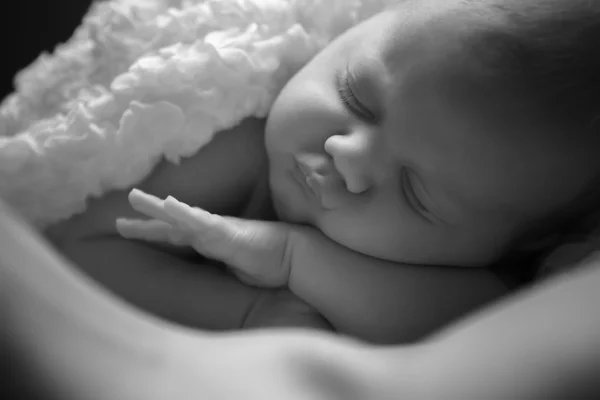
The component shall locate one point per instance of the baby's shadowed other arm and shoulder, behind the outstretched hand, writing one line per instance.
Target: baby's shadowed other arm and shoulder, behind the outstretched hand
(221, 178)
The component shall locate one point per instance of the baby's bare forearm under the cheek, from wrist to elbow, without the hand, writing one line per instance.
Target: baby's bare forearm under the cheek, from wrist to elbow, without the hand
(379, 300)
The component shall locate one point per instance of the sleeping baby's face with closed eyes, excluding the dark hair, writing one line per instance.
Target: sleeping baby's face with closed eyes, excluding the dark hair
(384, 144)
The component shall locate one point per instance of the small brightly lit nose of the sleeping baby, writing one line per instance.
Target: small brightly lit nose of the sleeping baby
(352, 156)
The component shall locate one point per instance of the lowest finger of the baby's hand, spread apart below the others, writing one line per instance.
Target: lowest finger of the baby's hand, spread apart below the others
(150, 230)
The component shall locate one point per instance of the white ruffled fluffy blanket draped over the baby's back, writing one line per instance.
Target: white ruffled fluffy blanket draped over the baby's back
(145, 79)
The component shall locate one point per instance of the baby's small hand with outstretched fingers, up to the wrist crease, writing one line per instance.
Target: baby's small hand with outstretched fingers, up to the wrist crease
(256, 251)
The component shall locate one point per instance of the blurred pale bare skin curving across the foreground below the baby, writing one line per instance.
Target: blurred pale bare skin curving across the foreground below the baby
(540, 344)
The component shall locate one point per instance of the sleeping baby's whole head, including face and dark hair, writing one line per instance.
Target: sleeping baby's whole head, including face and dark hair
(443, 131)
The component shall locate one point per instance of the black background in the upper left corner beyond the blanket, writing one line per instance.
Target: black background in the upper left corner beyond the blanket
(28, 27)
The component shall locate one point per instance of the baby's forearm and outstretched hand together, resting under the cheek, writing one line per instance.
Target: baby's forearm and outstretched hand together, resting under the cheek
(376, 300)
